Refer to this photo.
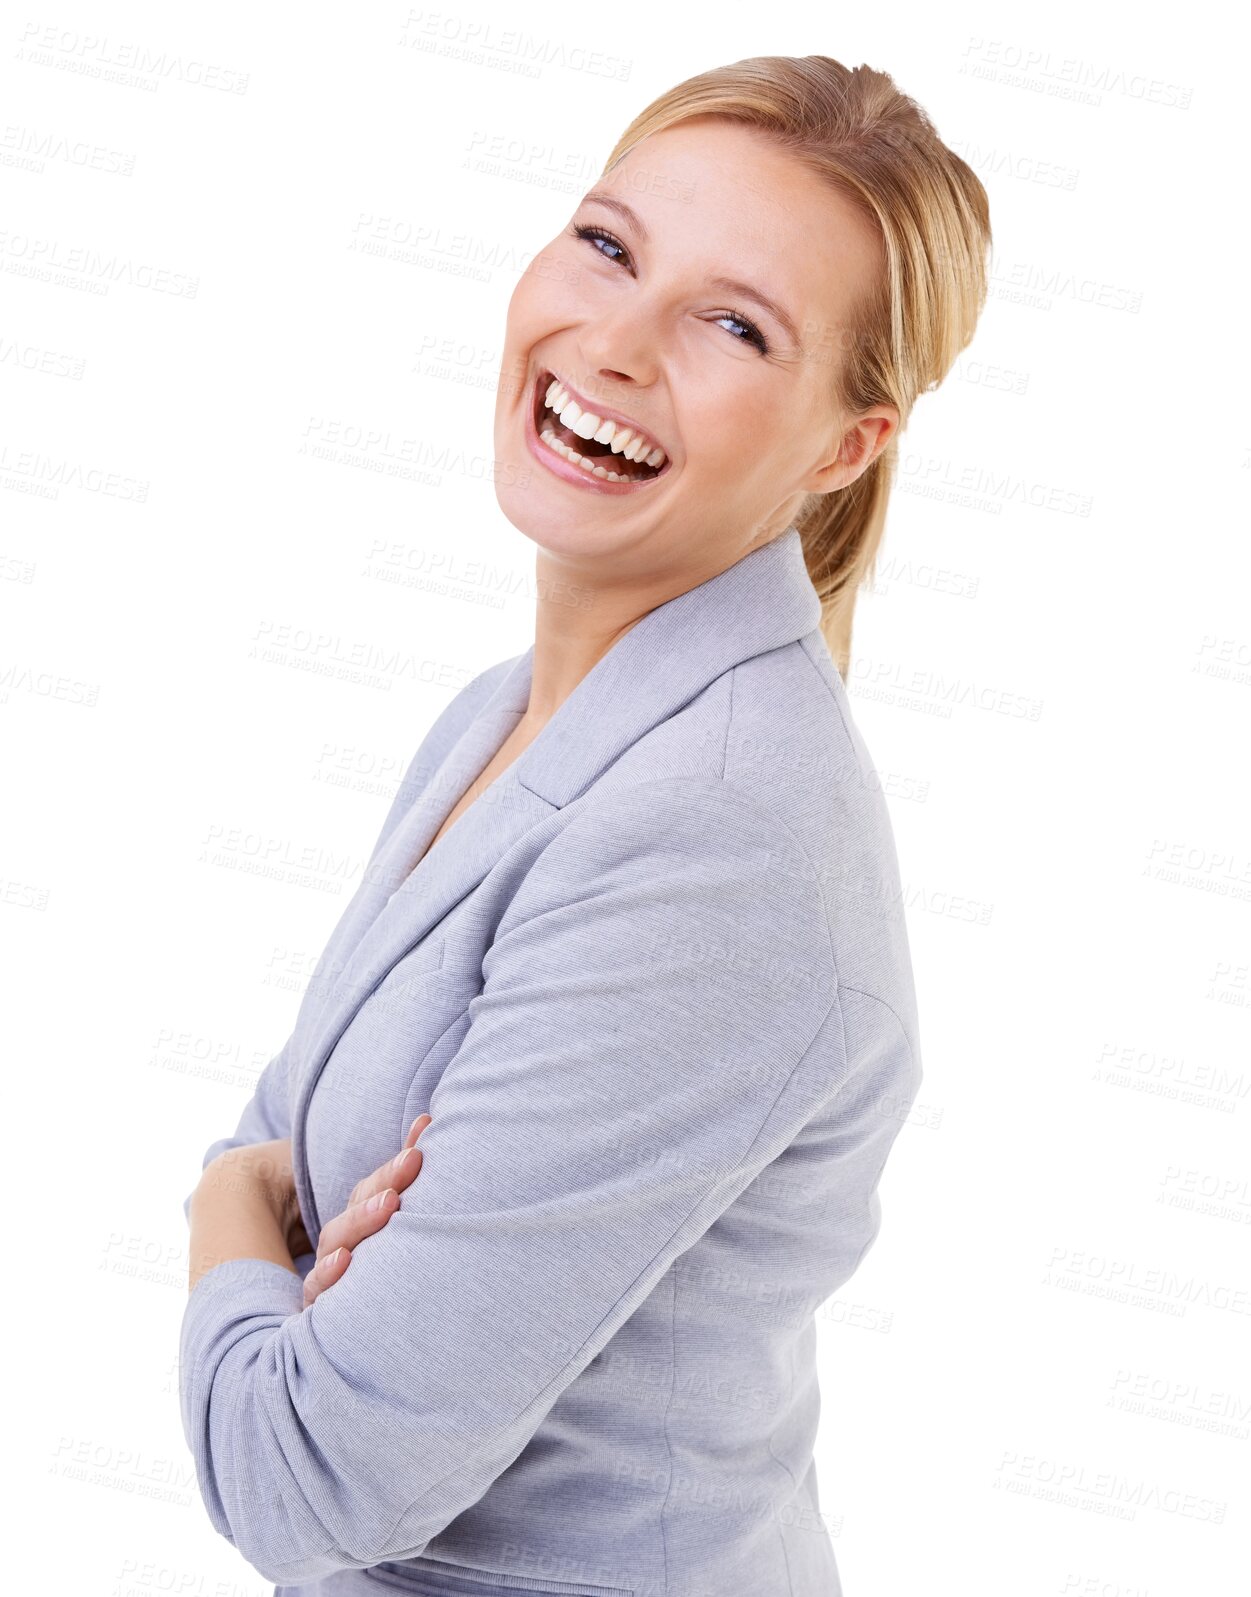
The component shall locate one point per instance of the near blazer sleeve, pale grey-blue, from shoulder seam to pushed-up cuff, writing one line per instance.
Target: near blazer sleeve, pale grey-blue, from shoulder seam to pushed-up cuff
(657, 1021)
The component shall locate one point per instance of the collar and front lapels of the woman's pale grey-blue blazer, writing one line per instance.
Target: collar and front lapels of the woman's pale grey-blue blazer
(673, 654)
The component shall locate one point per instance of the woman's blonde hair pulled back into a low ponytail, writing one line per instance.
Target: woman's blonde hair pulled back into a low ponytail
(854, 129)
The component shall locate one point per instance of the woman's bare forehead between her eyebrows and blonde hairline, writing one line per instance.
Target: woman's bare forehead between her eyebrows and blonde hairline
(729, 200)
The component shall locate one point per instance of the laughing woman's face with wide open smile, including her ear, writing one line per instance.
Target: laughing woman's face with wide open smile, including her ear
(697, 303)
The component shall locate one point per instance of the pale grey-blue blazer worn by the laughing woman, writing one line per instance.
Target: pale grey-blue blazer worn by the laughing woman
(654, 989)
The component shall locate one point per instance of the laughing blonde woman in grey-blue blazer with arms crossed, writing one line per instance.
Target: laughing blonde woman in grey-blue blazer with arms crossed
(629, 957)
